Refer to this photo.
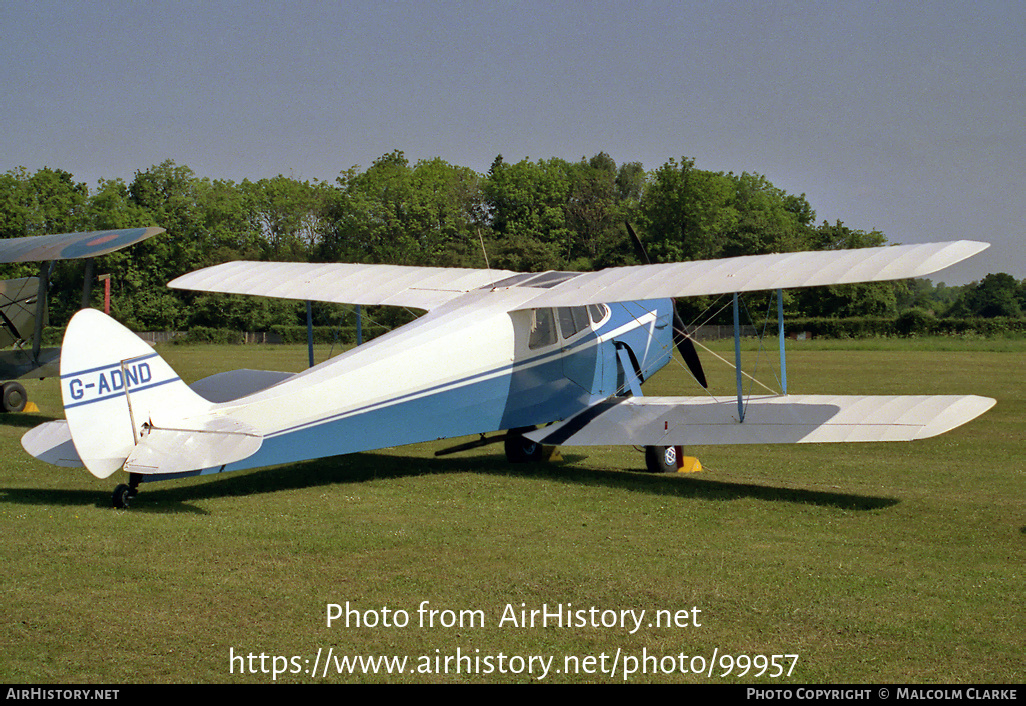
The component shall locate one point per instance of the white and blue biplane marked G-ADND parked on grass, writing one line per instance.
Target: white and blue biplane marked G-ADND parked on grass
(497, 351)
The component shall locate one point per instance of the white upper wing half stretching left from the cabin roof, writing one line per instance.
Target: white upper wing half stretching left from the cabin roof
(423, 288)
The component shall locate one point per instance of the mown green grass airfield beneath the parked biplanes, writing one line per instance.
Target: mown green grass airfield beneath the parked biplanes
(872, 563)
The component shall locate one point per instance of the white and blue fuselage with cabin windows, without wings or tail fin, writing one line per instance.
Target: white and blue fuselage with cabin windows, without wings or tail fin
(464, 369)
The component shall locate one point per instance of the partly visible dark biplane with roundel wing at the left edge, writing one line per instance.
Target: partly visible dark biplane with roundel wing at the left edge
(23, 301)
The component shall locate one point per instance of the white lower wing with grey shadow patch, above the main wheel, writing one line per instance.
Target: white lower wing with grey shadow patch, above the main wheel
(782, 419)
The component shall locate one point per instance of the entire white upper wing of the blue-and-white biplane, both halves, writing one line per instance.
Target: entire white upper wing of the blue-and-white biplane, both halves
(427, 288)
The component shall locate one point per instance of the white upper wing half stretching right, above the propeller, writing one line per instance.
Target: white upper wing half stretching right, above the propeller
(754, 273)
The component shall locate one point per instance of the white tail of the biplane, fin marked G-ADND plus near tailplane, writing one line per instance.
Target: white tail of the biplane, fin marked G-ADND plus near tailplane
(125, 404)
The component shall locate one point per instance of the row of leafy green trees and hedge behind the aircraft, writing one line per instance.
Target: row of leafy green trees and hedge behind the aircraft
(528, 216)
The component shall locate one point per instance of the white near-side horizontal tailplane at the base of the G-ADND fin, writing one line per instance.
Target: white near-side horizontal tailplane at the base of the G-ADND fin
(220, 442)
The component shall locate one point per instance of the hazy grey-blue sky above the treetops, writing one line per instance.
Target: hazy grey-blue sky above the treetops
(902, 117)
